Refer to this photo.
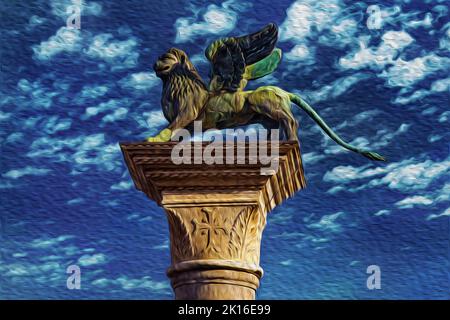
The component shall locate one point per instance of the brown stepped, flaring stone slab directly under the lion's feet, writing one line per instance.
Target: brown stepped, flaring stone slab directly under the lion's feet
(155, 174)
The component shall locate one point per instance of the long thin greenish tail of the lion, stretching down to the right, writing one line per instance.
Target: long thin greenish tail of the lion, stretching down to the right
(313, 114)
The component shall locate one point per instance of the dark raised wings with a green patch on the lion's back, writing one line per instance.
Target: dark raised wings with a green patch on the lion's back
(235, 58)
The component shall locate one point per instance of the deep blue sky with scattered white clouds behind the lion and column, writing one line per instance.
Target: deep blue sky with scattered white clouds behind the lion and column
(67, 97)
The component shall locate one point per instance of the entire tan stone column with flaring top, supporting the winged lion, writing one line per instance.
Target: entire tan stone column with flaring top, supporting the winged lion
(216, 215)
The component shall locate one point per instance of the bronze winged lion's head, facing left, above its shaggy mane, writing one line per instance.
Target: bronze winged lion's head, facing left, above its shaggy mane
(173, 58)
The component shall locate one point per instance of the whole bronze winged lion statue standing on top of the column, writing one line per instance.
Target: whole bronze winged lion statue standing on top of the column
(225, 104)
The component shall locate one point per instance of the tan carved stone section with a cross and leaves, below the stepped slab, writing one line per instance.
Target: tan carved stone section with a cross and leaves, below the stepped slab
(221, 232)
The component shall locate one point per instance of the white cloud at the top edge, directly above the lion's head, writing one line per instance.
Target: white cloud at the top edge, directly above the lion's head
(217, 20)
